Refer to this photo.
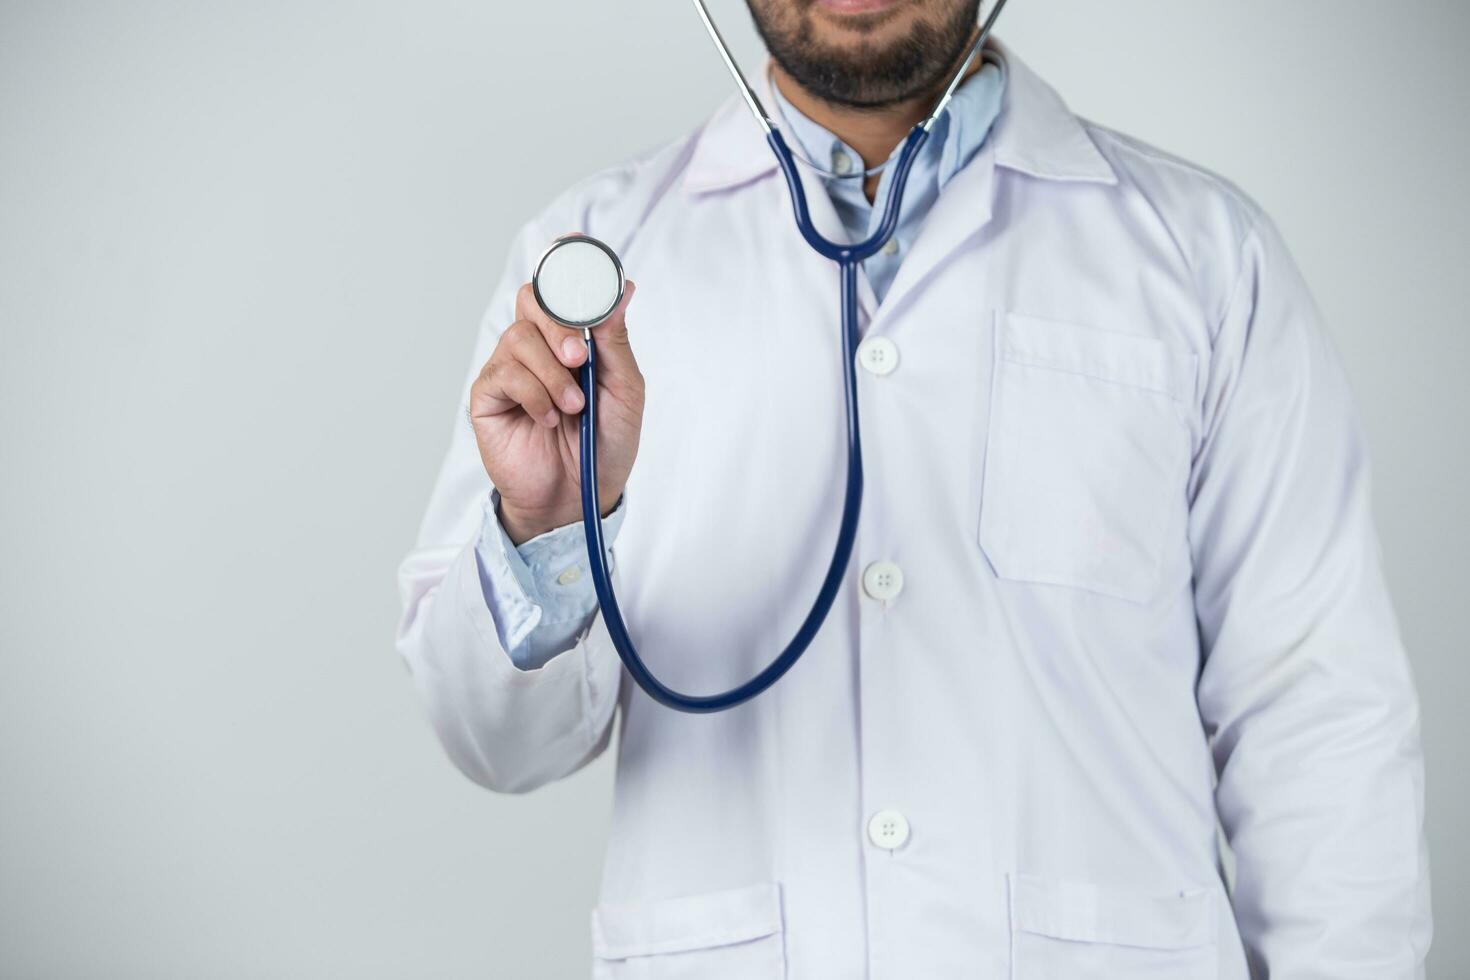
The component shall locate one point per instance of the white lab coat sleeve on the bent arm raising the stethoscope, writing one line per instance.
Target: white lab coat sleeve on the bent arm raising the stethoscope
(506, 728)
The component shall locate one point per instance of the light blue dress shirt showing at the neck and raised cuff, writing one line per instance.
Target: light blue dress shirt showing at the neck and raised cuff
(542, 594)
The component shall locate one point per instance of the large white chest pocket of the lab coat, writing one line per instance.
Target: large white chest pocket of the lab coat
(1087, 456)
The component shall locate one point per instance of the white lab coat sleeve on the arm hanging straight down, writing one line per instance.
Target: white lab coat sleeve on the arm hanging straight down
(1306, 690)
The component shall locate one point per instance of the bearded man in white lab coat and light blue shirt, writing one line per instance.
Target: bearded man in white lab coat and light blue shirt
(1116, 578)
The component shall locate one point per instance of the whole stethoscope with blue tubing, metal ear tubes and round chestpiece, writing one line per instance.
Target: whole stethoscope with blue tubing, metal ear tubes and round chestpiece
(580, 281)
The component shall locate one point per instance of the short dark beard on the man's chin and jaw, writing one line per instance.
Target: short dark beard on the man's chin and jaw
(870, 74)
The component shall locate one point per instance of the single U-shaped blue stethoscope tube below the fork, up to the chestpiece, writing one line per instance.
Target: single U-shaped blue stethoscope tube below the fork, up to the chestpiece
(831, 584)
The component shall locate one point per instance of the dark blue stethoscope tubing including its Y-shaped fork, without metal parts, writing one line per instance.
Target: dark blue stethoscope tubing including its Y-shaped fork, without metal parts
(847, 259)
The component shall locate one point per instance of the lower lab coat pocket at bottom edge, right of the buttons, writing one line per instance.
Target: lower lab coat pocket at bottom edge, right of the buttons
(1074, 931)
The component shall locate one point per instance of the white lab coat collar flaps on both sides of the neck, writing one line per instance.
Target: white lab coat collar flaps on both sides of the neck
(1036, 134)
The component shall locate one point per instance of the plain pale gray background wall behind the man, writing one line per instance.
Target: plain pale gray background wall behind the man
(243, 252)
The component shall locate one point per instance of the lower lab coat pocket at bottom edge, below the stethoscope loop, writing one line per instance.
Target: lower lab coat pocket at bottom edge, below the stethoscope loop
(714, 937)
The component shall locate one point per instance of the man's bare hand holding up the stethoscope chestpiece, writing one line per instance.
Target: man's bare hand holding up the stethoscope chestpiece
(526, 406)
